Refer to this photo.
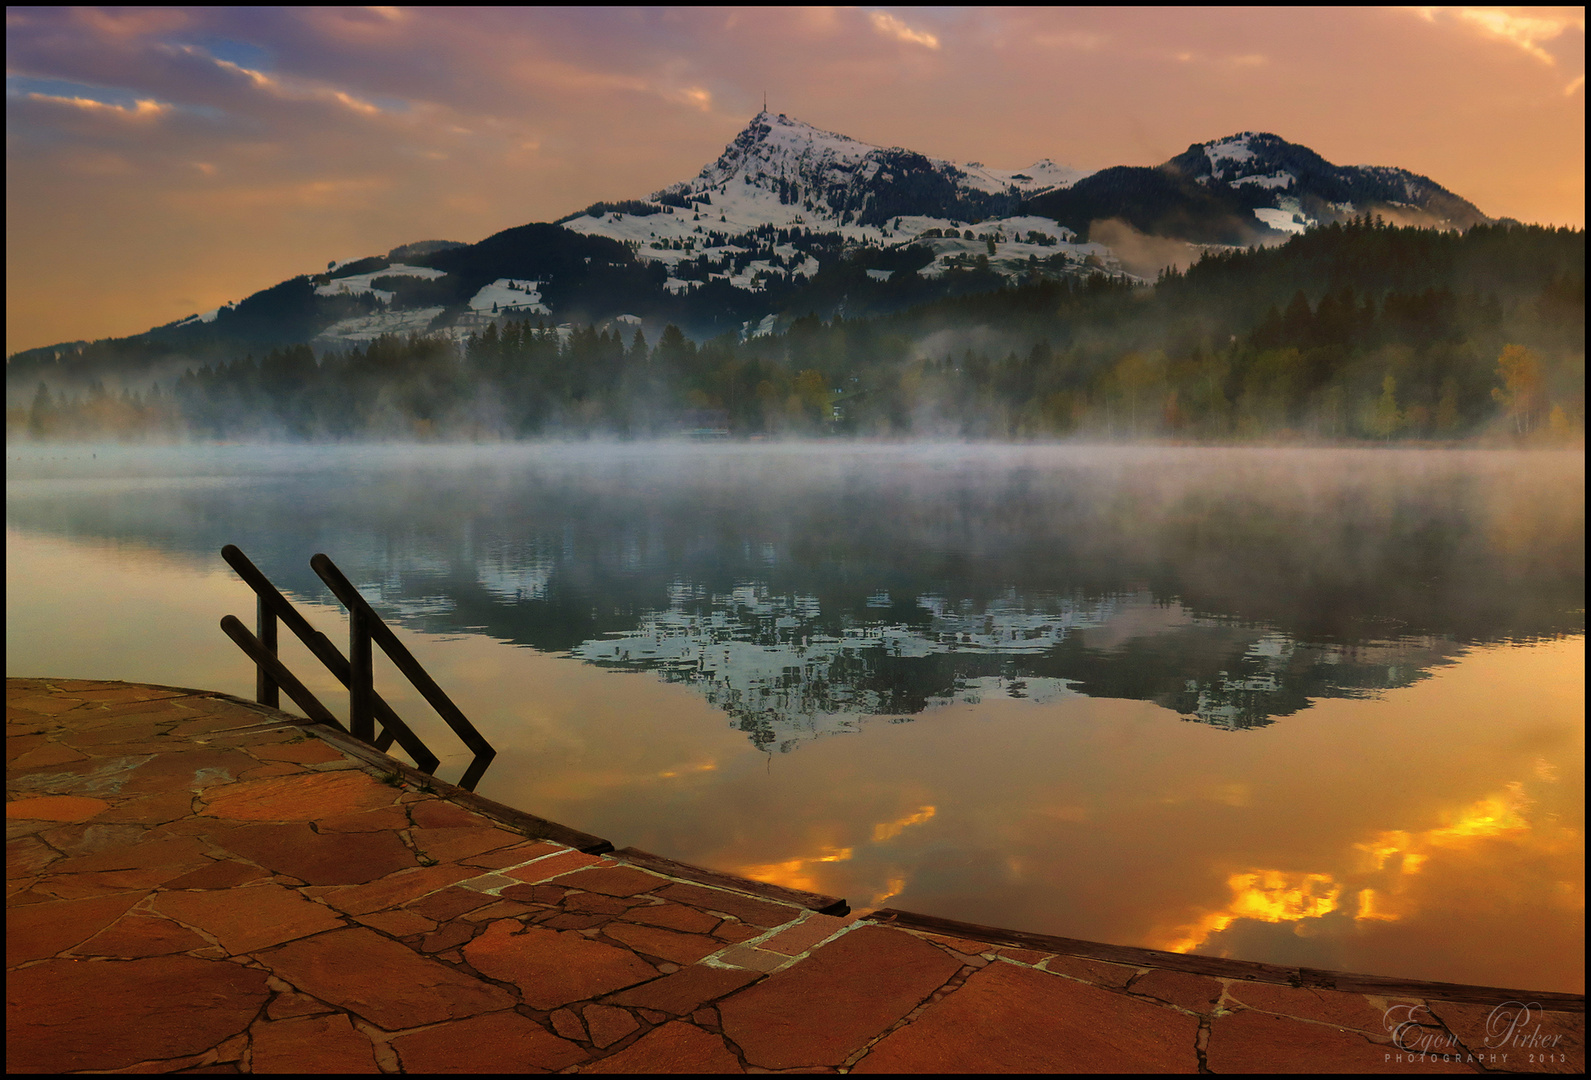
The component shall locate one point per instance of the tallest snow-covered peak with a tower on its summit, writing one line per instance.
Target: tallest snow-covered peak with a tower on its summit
(739, 219)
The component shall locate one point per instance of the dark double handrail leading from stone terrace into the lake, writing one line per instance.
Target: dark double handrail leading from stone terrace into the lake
(365, 705)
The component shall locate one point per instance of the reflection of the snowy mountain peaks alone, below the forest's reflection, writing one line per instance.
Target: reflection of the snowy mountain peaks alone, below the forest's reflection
(784, 674)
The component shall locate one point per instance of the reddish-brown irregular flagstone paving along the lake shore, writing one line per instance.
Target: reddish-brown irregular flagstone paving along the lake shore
(198, 884)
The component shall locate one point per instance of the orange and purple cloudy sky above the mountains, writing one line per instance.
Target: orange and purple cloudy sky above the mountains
(165, 161)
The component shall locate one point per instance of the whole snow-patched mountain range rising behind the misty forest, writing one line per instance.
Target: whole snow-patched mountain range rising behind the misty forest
(796, 220)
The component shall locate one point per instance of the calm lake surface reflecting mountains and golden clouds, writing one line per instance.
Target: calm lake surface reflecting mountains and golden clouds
(1294, 707)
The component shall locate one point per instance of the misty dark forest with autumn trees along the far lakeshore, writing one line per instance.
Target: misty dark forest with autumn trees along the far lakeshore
(1352, 332)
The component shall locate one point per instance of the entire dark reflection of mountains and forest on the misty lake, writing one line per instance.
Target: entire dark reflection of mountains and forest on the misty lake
(809, 591)
